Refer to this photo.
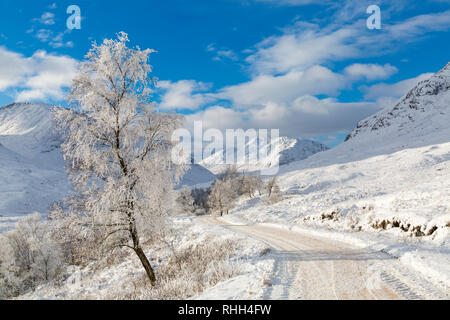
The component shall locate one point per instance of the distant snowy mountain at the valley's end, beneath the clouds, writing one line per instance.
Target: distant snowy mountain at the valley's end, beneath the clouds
(282, 151)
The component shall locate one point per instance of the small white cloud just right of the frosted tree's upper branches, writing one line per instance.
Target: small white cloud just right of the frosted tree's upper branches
(183, 94)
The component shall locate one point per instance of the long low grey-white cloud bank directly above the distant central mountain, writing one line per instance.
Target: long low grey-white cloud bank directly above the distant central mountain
(306, 116)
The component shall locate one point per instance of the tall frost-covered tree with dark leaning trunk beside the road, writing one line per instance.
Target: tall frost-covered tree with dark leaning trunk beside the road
(118, 148)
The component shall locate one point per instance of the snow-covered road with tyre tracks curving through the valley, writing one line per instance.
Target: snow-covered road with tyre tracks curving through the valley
(312, 268)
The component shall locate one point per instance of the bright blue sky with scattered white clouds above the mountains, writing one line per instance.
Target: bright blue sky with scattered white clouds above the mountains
(309, 68)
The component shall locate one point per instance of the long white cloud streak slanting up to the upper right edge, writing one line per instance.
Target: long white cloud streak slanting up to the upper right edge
(304, 44)
